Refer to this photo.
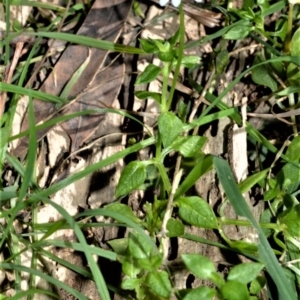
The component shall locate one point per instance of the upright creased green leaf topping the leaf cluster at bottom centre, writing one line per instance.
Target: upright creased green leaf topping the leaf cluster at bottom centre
(138, 246)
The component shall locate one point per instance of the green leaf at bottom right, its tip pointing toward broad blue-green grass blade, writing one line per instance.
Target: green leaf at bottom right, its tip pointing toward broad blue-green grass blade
(245, 273)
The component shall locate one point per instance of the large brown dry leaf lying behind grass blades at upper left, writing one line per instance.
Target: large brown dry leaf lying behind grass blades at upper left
(104, 21)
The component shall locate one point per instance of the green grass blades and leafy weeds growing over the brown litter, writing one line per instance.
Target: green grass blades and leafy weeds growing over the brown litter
(177, 161)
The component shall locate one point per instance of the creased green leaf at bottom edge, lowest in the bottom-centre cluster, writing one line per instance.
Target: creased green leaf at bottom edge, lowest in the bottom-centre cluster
(159, 283)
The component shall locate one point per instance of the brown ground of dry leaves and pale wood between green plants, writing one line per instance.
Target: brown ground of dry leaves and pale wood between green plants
(109, 82)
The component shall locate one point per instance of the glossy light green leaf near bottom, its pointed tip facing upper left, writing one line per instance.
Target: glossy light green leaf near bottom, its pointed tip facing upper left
(199, 265)
